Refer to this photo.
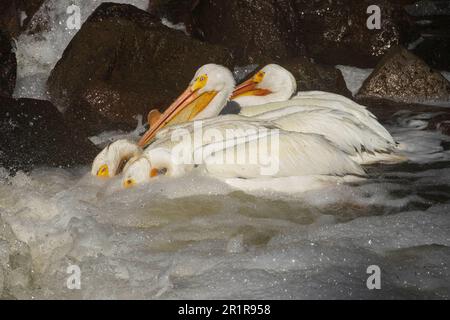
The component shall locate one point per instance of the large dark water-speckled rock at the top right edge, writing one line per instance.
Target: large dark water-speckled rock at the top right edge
(336, 32)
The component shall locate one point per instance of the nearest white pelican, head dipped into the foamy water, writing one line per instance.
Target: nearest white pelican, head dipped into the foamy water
(295, 154)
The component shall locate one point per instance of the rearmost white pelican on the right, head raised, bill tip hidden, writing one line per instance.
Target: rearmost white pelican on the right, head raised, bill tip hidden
(344, 122)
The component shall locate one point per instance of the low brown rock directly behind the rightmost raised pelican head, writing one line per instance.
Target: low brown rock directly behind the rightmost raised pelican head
(313, 76)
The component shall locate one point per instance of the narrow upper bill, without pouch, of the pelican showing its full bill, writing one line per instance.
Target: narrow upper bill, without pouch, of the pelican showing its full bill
(185, 99)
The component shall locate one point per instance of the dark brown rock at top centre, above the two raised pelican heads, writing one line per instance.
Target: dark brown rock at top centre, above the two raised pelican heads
(251, 28)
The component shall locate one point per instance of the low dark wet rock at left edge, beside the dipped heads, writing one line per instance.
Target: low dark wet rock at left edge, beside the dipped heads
(34, 134)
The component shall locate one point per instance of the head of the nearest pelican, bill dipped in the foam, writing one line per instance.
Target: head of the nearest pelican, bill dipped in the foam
(153, 163)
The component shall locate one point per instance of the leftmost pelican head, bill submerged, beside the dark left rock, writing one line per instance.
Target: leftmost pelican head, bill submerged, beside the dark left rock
(112, 160)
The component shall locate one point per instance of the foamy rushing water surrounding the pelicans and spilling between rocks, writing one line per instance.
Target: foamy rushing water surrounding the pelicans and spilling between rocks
(196, 237)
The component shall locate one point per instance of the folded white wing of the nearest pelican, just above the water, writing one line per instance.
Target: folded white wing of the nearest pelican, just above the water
(281, 155)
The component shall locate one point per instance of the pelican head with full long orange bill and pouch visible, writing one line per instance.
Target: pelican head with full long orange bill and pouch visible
(205, 97)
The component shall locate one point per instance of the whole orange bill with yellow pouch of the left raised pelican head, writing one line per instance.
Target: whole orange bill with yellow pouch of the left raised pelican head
(184, 109)
